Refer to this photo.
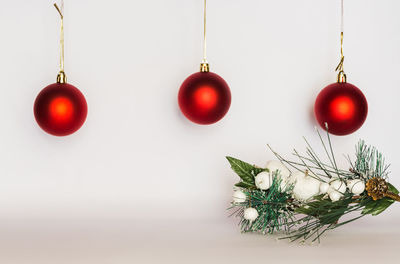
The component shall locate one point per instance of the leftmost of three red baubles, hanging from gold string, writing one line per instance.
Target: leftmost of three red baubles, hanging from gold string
(60, 109)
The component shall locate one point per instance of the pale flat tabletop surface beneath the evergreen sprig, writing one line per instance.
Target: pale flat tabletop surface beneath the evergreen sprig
(110, 241)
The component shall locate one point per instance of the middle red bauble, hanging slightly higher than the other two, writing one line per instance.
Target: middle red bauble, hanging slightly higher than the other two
(204, 98)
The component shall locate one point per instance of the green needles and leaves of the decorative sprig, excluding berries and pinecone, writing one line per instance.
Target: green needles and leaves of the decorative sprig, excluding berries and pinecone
(308, 220)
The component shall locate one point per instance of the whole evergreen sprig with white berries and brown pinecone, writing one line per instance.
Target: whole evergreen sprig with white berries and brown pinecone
(303, 199)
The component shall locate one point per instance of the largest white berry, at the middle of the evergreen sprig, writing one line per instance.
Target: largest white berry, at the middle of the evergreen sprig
(305, 187)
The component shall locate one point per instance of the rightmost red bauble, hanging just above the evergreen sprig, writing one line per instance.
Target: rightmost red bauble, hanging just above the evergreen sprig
(343, 107)
